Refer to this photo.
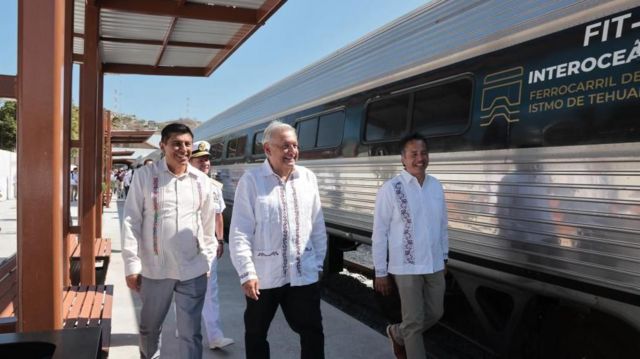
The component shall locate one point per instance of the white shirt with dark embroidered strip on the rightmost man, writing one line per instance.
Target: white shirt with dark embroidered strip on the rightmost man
(410, 221)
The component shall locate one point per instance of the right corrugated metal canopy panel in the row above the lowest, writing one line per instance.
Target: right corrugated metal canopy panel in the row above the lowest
(209, 32)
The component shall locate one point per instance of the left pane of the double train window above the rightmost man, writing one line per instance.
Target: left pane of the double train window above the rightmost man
(387, 118)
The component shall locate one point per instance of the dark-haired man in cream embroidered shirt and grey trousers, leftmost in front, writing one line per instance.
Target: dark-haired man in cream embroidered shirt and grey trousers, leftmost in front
(167, 243)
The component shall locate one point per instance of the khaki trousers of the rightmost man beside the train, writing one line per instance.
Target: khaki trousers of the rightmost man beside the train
(422, 300)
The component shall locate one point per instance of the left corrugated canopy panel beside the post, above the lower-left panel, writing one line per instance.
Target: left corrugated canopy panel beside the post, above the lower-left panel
(133, 26)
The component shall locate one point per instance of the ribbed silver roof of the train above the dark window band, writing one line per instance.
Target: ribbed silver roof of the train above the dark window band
(437, 34)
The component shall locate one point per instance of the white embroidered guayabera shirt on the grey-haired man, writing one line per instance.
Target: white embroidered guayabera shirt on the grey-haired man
(277, 232)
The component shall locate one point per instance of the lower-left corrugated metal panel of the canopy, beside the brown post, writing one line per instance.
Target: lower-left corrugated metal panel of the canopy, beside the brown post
(136, 54)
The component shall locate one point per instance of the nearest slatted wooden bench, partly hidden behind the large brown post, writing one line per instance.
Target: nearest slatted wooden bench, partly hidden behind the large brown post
(82, 306)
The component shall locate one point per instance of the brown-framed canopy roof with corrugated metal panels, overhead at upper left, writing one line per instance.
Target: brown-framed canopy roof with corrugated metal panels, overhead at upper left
(170, 37)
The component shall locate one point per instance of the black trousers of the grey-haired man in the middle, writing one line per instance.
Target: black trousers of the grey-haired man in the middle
(301, 308)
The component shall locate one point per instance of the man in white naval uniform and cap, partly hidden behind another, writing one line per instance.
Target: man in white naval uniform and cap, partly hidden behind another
(200, 159)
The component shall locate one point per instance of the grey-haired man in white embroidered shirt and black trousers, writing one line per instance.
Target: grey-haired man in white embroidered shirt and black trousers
(277, 243)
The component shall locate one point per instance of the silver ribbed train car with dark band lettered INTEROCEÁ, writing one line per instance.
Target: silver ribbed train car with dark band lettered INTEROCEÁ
(532, 110)
